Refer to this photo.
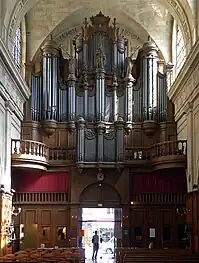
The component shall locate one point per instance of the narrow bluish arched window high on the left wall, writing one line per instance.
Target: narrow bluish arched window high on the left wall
(17, 48)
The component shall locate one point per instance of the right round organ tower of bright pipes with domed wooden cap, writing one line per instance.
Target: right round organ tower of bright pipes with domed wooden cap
(149, 56)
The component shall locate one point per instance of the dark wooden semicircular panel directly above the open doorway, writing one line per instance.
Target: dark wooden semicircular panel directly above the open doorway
(100, 194)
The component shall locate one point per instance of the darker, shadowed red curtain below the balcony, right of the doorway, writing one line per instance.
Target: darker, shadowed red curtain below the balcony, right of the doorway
(167, 181)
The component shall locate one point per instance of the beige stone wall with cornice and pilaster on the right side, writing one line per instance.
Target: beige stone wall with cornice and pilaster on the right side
(185, 95)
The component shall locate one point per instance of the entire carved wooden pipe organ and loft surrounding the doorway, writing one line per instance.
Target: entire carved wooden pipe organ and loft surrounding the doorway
(99, 131)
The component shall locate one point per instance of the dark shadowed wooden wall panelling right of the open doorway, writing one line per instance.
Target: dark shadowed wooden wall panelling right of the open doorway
(160, 217)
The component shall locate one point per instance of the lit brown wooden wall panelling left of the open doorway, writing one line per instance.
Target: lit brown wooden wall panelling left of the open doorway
(52, 225)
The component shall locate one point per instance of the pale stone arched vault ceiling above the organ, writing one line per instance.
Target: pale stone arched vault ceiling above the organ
(141, 17)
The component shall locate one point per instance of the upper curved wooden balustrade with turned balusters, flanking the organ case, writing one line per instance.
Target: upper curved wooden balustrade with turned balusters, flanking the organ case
(37, 151)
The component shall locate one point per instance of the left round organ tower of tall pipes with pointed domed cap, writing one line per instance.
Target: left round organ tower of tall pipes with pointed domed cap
(50, 68)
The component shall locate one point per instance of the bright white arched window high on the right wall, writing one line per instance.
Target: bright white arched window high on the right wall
(178, 48)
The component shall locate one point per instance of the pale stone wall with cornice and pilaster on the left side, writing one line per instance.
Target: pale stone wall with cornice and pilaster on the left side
(13, 93)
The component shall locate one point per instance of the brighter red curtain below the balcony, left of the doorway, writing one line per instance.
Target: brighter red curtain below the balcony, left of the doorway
(40, 181)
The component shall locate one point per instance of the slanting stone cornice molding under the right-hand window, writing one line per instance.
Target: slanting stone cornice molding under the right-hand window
(185, 73)
